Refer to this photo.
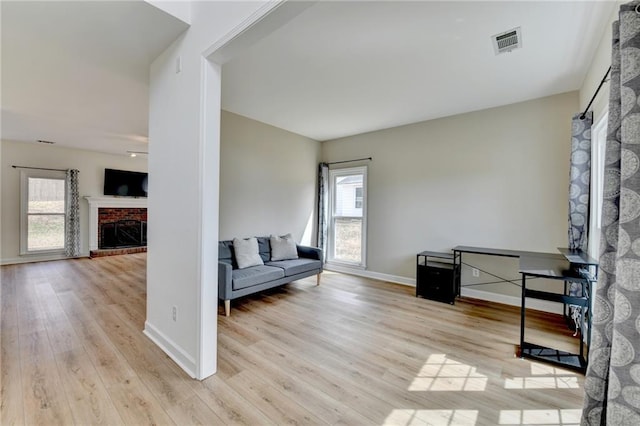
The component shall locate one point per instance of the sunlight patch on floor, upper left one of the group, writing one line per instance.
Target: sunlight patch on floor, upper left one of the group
(442, 374)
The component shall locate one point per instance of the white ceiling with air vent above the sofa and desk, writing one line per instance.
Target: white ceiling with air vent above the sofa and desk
(344, 68)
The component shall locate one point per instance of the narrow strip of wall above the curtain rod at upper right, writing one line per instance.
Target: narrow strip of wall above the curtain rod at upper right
(599, 65)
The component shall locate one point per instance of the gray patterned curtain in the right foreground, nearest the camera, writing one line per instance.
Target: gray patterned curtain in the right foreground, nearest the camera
(612, 384)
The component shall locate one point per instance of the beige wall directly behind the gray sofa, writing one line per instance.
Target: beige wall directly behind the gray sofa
(267, 180)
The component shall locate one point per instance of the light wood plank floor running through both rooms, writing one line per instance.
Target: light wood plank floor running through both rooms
(351, 351)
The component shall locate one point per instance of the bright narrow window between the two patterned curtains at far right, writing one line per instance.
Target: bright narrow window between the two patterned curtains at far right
(598, 148)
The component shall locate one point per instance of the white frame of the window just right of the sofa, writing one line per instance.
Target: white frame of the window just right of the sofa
(333, 174)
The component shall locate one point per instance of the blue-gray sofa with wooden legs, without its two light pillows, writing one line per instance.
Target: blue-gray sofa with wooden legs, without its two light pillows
(234, 282)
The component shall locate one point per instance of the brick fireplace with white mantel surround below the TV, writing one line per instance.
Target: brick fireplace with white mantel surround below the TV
(117, 225)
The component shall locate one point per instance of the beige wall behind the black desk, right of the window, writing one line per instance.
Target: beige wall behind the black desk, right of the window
(494, 178)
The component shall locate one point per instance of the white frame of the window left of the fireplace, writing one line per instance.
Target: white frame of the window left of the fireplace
(25, 175)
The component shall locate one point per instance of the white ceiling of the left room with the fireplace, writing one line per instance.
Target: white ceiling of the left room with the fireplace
(77, 72)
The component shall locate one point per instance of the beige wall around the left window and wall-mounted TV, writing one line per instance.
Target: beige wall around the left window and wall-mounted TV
(91, 165)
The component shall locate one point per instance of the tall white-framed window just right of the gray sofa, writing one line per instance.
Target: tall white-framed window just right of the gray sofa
(347, 224)
